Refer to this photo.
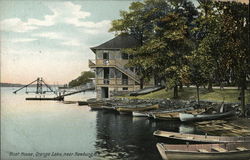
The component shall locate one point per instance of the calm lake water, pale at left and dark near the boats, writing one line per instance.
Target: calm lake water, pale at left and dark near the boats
(42, 130)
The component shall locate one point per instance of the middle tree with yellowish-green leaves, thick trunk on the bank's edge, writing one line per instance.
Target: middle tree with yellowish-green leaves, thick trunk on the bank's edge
(172, 33)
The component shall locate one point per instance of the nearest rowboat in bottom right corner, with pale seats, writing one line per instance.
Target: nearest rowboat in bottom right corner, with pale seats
(229, 151)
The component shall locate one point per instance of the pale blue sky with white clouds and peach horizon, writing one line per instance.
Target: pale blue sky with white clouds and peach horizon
(52, 39)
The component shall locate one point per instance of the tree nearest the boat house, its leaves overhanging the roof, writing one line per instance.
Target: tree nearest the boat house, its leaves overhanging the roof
(139, 22)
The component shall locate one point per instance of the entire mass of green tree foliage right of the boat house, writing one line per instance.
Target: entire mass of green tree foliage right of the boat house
(183, 44)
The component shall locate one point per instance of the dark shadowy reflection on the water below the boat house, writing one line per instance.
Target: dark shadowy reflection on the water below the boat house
(128, 137)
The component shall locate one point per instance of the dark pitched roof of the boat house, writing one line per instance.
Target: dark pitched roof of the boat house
(119, 42)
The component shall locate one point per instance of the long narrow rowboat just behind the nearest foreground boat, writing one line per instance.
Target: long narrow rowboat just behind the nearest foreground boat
(200, 138)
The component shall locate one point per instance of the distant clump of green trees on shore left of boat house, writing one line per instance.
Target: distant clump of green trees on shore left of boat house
(82, 79)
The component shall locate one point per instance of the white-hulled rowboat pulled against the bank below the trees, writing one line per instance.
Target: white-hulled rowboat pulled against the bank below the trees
(186, 117)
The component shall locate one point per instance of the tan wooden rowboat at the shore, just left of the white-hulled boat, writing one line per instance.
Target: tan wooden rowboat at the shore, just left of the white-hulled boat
(174, 115)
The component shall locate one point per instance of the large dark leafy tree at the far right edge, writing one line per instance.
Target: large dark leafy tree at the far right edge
(221, 29)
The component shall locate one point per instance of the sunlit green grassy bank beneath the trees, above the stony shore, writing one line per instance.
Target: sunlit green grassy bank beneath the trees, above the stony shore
(230, 95)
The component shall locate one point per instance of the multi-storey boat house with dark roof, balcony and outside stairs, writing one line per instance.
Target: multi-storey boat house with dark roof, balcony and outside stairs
(112, 75)
